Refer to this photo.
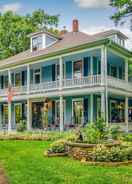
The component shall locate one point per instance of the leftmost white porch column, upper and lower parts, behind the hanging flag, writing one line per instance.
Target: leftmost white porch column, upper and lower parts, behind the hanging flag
(9, 105)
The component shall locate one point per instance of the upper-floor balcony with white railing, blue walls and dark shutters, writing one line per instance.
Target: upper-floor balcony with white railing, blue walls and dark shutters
(85, 70)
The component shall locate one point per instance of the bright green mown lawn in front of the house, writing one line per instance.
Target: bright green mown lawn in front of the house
(24, 163)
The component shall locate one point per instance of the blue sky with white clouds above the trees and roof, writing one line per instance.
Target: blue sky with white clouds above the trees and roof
(93, 15)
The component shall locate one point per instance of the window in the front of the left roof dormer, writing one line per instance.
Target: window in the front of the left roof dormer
(37, 43)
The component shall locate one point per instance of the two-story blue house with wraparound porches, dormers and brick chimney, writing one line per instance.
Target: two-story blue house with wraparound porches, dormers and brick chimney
(84, 77)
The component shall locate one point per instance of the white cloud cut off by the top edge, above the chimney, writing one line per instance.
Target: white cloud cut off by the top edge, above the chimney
(93, 3)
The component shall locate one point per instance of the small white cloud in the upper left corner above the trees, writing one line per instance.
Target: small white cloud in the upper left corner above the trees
(15, 7)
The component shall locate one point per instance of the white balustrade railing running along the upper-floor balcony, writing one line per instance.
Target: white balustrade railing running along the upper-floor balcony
(90, 81)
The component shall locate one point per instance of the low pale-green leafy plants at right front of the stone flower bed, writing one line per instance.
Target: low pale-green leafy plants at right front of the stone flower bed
(115, 154)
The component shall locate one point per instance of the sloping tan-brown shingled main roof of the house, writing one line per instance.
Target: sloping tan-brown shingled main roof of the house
(68, 41)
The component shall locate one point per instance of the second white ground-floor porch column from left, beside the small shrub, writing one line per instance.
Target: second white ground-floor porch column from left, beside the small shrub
(29, 114)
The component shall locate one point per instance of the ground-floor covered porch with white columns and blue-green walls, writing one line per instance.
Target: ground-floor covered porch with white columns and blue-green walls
(66, 112)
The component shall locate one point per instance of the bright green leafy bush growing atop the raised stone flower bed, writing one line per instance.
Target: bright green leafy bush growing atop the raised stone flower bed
(90, 134)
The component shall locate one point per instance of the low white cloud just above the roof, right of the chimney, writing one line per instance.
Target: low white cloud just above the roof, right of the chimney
(126, 31)
